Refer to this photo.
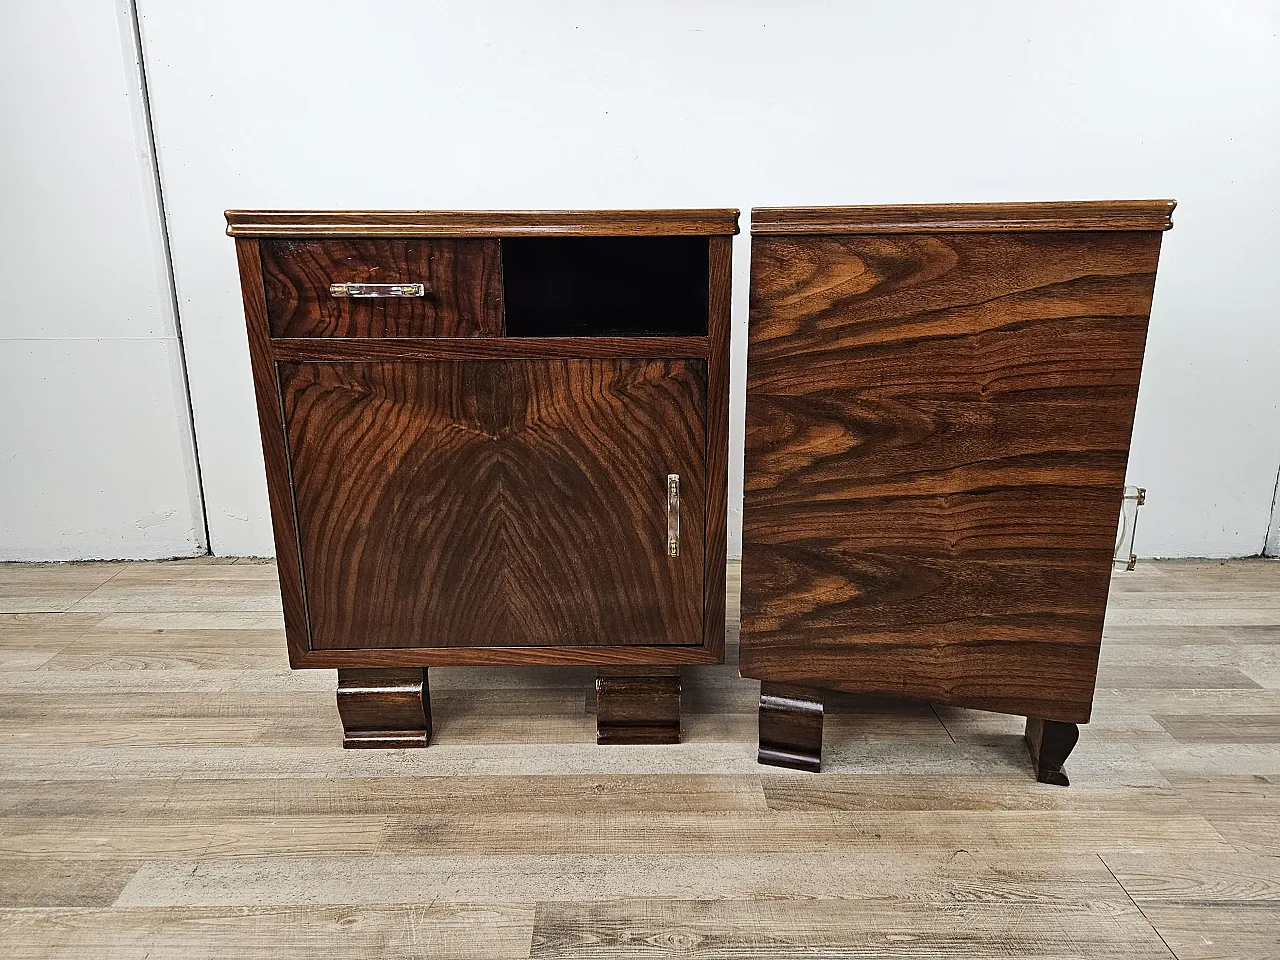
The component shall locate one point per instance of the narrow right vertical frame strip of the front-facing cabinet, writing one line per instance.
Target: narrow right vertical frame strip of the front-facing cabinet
(717, 441)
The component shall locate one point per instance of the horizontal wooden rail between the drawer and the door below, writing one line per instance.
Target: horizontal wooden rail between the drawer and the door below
(492, 349)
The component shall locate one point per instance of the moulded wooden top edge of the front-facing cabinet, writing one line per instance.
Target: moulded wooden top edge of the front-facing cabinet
(481, 223)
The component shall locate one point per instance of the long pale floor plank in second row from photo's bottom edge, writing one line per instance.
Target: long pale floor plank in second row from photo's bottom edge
(938, 879)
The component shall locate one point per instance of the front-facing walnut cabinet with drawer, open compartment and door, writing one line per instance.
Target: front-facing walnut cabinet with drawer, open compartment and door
(495, 438)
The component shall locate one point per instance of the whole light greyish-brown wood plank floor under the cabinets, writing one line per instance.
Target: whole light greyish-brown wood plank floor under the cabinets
(170, 789)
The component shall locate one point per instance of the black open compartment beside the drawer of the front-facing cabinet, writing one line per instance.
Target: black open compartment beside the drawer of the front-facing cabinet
(605, 286)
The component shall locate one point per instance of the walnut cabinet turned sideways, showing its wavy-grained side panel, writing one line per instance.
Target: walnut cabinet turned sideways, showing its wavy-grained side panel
(939, 410)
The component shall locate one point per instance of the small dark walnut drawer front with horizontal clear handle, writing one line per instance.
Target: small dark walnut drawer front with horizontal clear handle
(461, 287)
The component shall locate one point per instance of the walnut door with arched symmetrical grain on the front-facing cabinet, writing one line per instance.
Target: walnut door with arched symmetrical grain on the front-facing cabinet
(497, 504)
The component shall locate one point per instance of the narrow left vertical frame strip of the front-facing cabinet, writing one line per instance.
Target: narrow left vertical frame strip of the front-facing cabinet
(275, 455)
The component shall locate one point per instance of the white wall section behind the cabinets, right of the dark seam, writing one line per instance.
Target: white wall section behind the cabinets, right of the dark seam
(515, 106)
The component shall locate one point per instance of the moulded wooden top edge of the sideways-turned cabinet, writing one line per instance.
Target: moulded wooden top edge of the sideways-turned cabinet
(966, 218)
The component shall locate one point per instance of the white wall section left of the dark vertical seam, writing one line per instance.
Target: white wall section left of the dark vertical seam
(97, 454)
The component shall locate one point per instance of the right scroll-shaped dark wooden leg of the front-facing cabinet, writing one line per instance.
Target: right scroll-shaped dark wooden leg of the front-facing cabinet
(638, 706)
